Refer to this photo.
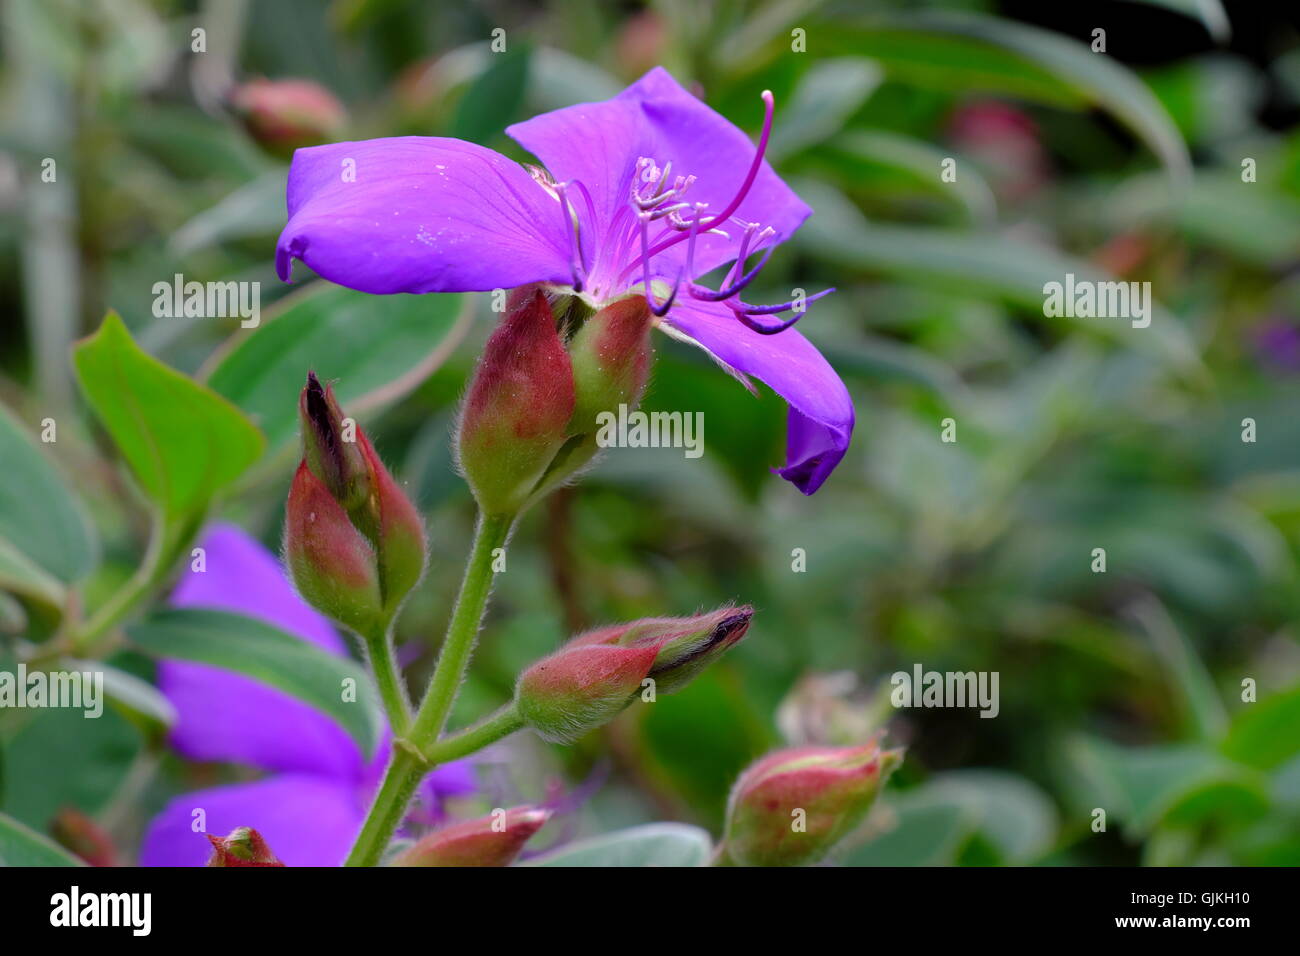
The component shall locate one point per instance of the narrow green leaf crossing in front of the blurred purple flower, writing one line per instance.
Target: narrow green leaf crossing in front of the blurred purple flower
(270, 656)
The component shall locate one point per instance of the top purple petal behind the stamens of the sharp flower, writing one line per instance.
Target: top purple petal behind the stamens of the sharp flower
(601, 142)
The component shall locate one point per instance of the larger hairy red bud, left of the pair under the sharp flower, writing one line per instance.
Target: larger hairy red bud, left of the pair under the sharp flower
(517, 414)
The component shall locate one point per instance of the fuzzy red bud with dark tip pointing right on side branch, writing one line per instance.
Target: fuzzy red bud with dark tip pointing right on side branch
(595, 677)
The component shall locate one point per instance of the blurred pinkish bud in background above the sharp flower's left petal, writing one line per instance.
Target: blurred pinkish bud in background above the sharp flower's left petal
(284, 115)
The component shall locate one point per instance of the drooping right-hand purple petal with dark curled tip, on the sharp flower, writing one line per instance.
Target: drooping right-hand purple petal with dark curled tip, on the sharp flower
(821, 419)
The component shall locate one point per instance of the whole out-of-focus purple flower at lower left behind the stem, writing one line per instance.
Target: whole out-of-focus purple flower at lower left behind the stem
(313, 804)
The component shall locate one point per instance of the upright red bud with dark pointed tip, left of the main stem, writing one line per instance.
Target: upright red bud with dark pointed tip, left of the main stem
(354, 542)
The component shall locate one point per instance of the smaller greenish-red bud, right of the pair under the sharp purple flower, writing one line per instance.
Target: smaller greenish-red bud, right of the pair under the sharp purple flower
(612, 361)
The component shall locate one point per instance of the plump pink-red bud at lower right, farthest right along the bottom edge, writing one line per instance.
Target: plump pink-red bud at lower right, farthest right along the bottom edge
(792, 807)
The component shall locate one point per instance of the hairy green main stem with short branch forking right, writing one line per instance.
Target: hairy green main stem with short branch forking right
(415, 755)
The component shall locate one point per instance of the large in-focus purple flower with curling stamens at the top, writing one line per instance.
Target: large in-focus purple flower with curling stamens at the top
(644, 194)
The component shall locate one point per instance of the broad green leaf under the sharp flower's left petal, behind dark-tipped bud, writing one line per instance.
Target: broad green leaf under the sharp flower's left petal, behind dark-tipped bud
(375, 348)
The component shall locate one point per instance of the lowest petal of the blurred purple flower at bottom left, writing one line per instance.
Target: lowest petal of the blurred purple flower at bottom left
(307, 821)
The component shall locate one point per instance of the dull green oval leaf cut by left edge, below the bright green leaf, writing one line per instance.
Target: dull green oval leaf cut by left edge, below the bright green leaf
(38, 513)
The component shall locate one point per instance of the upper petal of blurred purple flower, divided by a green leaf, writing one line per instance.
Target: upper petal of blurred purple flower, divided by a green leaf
(228, 717)
